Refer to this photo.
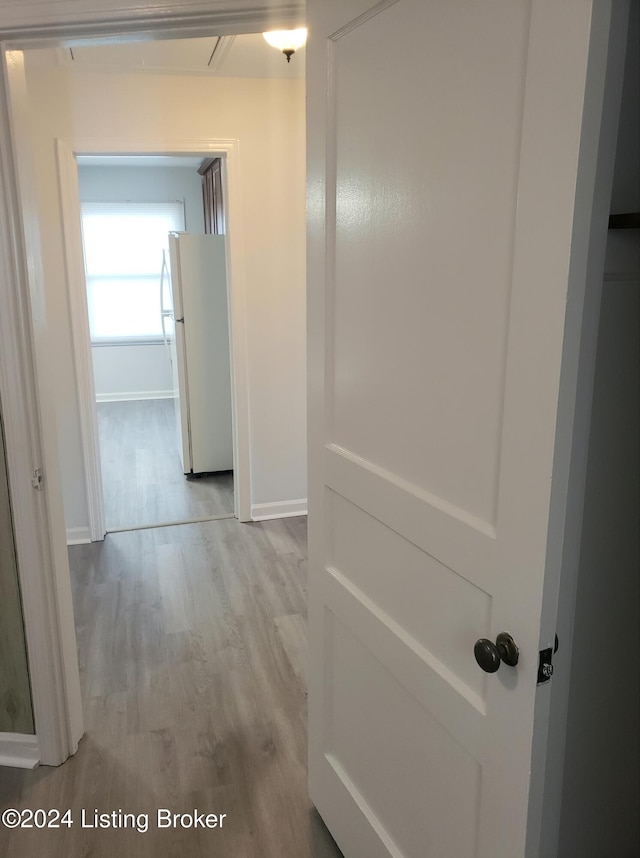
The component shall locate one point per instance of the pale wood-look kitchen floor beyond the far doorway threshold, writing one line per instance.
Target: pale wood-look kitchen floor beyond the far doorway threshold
(141, 472)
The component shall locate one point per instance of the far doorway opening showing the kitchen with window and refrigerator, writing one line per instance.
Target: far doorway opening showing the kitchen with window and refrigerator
(162, 388)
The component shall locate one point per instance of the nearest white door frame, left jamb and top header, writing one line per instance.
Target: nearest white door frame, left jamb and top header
(28, 410)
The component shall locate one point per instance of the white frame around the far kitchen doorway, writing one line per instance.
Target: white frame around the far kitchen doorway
(228, 150)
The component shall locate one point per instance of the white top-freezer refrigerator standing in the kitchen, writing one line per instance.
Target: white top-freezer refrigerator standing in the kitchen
(195, 322)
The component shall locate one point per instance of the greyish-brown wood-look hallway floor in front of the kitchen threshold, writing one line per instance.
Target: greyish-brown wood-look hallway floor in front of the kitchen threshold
(192, 648)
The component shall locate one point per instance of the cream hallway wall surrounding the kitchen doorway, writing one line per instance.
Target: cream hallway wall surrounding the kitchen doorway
(267, 118)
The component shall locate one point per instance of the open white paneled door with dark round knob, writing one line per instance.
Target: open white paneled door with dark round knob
(443, 144)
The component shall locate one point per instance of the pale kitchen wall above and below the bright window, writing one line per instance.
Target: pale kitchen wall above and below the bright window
(143, 370)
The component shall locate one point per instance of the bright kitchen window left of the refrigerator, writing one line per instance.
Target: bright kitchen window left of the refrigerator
(123, 244)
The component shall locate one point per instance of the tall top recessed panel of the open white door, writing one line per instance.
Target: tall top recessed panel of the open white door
(458, 316)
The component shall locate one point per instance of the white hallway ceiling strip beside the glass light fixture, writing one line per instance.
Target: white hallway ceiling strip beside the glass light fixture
(222, 56)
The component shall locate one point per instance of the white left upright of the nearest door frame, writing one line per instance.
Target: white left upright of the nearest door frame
(31, 442)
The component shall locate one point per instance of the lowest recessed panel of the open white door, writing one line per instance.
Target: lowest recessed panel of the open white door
(406, 741)
